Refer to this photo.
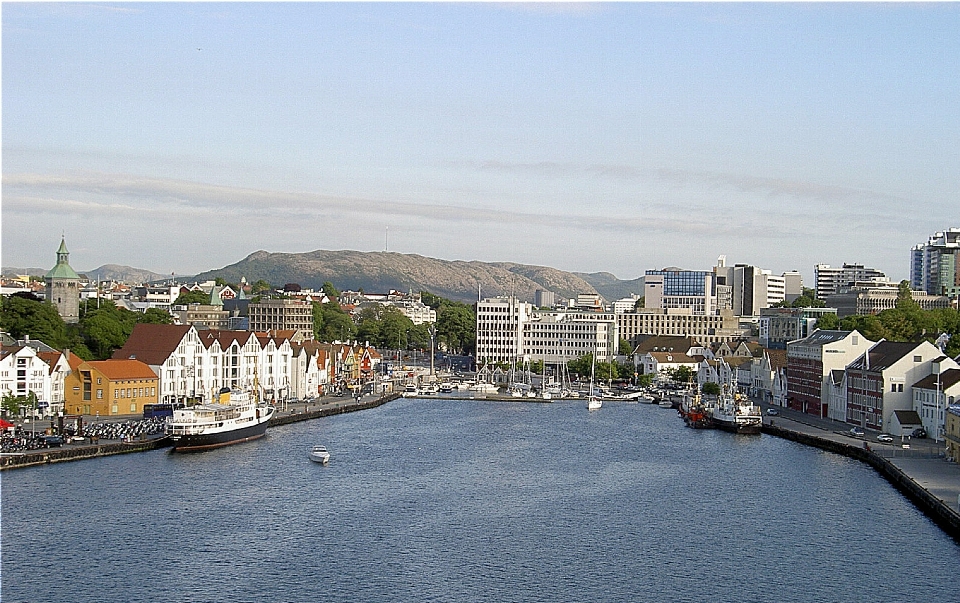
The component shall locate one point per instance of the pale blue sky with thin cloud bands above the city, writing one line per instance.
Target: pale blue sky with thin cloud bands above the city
(590, 137)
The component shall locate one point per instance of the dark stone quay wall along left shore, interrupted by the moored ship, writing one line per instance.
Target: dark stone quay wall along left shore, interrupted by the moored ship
(76, 452)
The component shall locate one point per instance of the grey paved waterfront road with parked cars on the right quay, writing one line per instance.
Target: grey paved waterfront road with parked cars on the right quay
(922, 459)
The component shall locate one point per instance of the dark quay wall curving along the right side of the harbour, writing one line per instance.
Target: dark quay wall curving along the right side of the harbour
(942, 514)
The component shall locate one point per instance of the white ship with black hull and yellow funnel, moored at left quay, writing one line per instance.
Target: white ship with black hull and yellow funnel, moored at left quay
(234, 417)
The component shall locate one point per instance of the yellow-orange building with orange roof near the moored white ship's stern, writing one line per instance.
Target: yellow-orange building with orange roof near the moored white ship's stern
(110, 387)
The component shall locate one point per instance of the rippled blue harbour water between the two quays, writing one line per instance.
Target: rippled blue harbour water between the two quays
(449, 500)
